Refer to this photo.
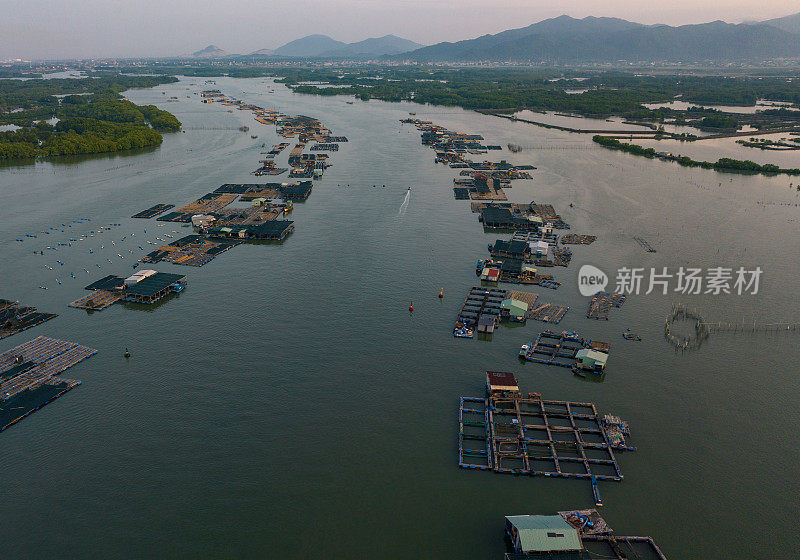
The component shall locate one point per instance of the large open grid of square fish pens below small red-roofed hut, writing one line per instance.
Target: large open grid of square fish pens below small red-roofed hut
(514, 433)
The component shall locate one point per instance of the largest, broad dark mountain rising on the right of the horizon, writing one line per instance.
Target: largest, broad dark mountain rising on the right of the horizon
(565, 40)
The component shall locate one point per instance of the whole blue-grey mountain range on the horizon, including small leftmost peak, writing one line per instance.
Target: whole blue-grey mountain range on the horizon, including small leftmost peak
(566, 40)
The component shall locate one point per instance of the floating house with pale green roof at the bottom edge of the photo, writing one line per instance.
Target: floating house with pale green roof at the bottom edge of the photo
(543, 534)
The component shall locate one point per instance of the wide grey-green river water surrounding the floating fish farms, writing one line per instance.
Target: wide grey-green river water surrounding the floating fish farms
(287, 404)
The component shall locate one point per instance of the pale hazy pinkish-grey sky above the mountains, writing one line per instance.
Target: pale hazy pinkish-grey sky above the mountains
(95, 28)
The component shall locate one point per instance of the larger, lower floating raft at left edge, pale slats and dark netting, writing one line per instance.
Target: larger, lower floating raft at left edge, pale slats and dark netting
(28, 376)
